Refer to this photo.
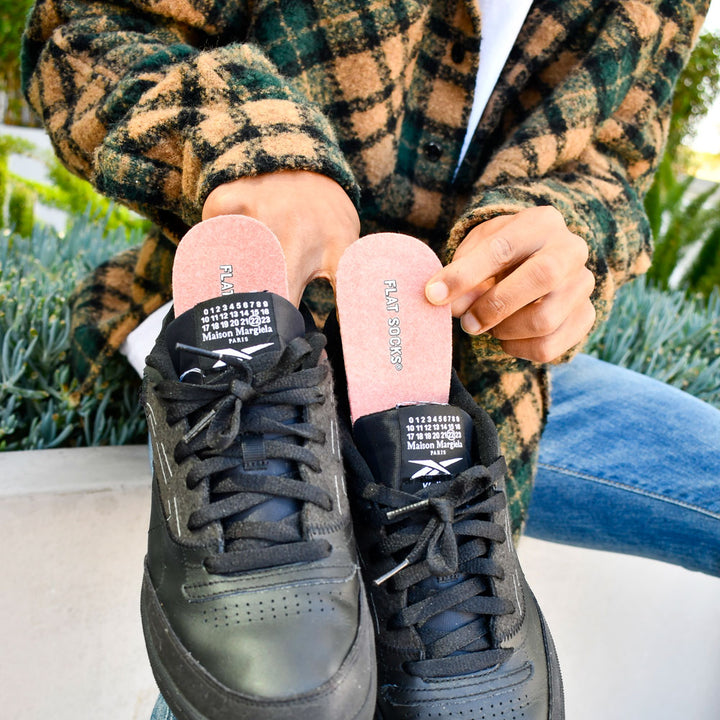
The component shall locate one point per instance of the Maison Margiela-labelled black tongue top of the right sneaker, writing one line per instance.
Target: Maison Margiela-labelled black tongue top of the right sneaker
(412, 446)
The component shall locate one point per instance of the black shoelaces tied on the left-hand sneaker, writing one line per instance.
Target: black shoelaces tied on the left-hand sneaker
(242, 417)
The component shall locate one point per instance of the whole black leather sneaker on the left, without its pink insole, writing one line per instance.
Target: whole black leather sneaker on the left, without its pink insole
(252, 602)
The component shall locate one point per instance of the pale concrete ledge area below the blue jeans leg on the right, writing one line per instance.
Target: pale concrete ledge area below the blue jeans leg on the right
(637, 639)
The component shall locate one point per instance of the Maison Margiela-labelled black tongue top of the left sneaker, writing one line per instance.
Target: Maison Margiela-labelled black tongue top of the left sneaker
(244, 325)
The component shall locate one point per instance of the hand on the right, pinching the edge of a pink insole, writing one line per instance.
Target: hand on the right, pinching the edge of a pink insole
(523, 279)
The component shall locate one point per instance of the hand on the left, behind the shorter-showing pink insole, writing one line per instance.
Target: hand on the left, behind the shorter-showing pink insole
(312, 216)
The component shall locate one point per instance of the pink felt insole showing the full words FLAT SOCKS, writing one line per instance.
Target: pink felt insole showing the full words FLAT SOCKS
(397, 346)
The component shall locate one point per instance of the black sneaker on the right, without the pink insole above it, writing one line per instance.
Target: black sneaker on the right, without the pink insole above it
(459, 632)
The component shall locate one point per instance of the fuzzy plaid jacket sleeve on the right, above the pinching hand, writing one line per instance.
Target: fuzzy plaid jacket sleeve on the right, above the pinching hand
(591, 147)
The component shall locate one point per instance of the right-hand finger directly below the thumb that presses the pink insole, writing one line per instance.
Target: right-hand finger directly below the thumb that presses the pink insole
(537, 277)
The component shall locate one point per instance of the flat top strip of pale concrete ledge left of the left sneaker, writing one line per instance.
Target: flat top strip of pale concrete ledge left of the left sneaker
(71, 470)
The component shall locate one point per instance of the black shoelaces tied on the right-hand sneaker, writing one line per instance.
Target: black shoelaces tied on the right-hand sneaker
(445, 532)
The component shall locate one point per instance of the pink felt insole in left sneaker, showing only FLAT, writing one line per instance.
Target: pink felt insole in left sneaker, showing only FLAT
(224, 255)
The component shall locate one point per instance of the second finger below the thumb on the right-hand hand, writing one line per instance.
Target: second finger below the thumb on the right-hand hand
(544, 316)
